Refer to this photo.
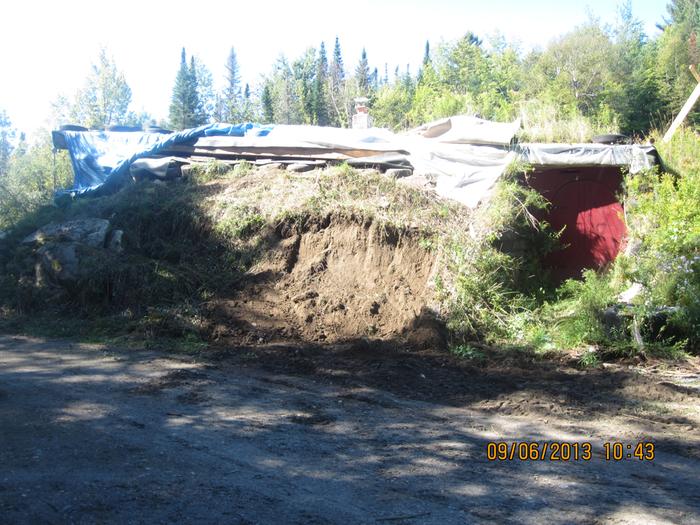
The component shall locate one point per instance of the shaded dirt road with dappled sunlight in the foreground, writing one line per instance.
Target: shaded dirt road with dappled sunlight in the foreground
(93, 435)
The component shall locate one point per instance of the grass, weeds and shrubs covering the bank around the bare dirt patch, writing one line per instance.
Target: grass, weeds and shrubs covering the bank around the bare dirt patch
(199, 240)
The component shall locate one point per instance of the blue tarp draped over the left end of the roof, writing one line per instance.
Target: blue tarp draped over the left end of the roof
(101, 159)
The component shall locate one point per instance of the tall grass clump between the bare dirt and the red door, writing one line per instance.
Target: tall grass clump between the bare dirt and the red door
(491, 274)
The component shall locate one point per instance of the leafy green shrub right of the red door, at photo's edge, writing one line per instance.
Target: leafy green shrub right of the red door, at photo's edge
(664, 218)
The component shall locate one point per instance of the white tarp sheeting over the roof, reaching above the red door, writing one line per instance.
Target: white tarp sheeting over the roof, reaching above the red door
(464, 155)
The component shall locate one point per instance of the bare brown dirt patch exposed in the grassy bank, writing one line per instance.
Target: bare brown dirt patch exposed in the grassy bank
(335, 279)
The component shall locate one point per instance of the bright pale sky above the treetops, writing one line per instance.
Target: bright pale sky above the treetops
(47, 47)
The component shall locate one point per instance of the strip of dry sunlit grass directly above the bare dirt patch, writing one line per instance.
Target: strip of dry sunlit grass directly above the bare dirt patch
(272, 194)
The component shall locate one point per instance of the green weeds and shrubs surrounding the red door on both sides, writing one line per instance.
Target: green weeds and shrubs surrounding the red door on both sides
(493, 295)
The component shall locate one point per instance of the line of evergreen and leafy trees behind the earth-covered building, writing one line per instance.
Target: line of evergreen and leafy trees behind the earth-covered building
(607, 77)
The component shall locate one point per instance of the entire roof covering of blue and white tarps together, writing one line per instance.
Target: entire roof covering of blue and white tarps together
(465, 155)
